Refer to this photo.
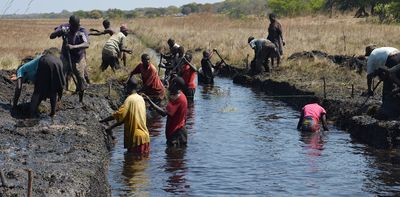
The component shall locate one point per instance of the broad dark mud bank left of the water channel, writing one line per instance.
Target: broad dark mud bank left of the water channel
(68, 155)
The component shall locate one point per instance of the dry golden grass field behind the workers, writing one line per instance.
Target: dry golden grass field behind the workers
(338, 35)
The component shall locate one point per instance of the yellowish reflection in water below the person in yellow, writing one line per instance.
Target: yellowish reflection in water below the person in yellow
(134, 175)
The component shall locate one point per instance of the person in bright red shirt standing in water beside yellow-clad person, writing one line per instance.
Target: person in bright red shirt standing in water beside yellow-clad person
(175, 111)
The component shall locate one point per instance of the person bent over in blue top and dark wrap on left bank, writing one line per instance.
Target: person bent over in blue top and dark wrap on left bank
(46, 72)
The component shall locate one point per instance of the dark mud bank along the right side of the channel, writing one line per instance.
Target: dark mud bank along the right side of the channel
(346, 113)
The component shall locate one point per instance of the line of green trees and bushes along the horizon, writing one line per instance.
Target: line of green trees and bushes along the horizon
(386, 10)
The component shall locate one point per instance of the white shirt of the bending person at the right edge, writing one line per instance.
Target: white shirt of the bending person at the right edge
(378, 58)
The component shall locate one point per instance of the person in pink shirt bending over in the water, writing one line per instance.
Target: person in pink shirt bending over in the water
(311, 115)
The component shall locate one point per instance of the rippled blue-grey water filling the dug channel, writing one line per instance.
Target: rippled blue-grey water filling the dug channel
(243, 143)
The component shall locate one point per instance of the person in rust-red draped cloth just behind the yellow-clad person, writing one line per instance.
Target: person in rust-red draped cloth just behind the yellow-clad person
(152, 85)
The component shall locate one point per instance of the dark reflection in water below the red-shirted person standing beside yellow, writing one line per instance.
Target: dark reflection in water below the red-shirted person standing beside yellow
(177, 171)
